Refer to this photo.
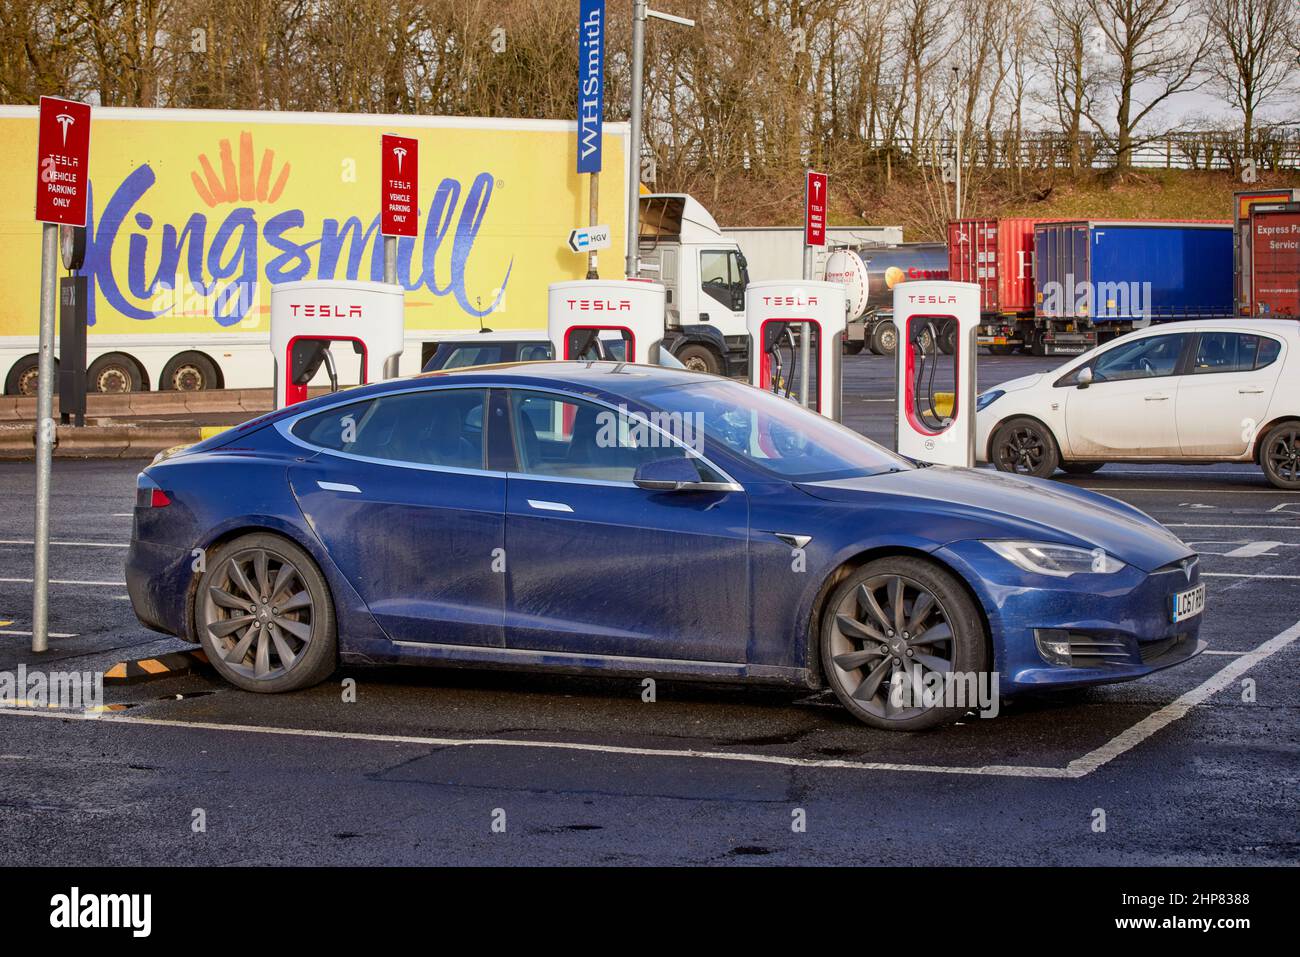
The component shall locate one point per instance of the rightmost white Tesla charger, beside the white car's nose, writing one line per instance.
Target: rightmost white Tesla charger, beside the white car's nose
(929, 428)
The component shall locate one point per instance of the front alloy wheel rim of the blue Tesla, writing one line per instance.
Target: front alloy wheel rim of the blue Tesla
(891, 633)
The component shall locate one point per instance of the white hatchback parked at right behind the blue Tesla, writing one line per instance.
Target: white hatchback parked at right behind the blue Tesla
(1193, 392)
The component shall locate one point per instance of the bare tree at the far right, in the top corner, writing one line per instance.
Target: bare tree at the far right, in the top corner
(1251, 55)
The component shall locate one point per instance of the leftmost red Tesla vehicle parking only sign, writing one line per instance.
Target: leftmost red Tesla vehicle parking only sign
(63, 162)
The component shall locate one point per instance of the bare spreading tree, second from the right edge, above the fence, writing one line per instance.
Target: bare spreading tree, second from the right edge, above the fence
(1156, 47)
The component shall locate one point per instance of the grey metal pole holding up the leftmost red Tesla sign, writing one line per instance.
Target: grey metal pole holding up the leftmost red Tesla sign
(45, 439)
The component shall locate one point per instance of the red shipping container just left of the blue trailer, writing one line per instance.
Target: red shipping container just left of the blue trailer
(999, 257)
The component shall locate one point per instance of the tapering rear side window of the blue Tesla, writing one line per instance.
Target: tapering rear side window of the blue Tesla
(441, 427)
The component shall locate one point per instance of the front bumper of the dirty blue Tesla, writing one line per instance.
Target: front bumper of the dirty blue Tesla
(1119, 626)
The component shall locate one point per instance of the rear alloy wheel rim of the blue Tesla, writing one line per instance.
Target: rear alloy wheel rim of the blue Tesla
(259, 614)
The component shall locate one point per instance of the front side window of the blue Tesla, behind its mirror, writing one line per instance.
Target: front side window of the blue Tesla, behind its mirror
(564, 438)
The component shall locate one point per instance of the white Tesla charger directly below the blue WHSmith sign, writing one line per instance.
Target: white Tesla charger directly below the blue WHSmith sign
(606, 319)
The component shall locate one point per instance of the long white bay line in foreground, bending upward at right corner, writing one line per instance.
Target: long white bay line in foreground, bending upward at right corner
(1080, 768)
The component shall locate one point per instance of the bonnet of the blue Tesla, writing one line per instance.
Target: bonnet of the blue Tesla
(961, 504)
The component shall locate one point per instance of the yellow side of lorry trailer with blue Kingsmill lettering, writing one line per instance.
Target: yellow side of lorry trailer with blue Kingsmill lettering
(194, 215)
